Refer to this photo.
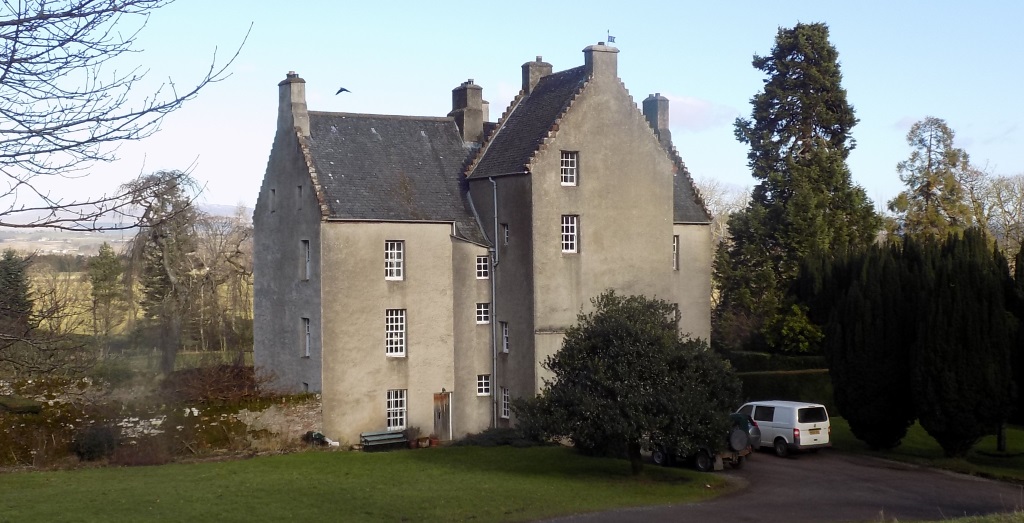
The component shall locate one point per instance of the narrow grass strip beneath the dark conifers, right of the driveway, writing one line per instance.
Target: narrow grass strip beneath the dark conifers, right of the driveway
(920, 449)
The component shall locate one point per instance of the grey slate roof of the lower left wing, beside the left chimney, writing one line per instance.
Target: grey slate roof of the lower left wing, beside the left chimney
(393, 168)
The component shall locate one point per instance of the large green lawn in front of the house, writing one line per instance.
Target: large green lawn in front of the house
(437, 485)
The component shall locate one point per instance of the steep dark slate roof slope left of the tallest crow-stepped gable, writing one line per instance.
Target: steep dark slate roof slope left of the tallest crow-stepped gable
(525, 129)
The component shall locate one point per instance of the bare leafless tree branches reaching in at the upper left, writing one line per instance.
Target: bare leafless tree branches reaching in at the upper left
(64, 109)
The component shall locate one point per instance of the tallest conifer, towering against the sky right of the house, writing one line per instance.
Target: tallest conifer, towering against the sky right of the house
(799, 135)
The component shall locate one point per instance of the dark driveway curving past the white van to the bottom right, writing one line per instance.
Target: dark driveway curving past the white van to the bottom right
(834, 487)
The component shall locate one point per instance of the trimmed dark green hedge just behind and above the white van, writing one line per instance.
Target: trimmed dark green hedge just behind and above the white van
(814, 386)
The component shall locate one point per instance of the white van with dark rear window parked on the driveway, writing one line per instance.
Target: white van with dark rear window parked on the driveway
(791, 425)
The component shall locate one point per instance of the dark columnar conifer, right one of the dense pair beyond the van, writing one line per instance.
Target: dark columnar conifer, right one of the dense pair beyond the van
(962, 355)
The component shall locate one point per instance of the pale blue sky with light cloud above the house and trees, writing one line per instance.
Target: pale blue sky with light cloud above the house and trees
(902, 62)
